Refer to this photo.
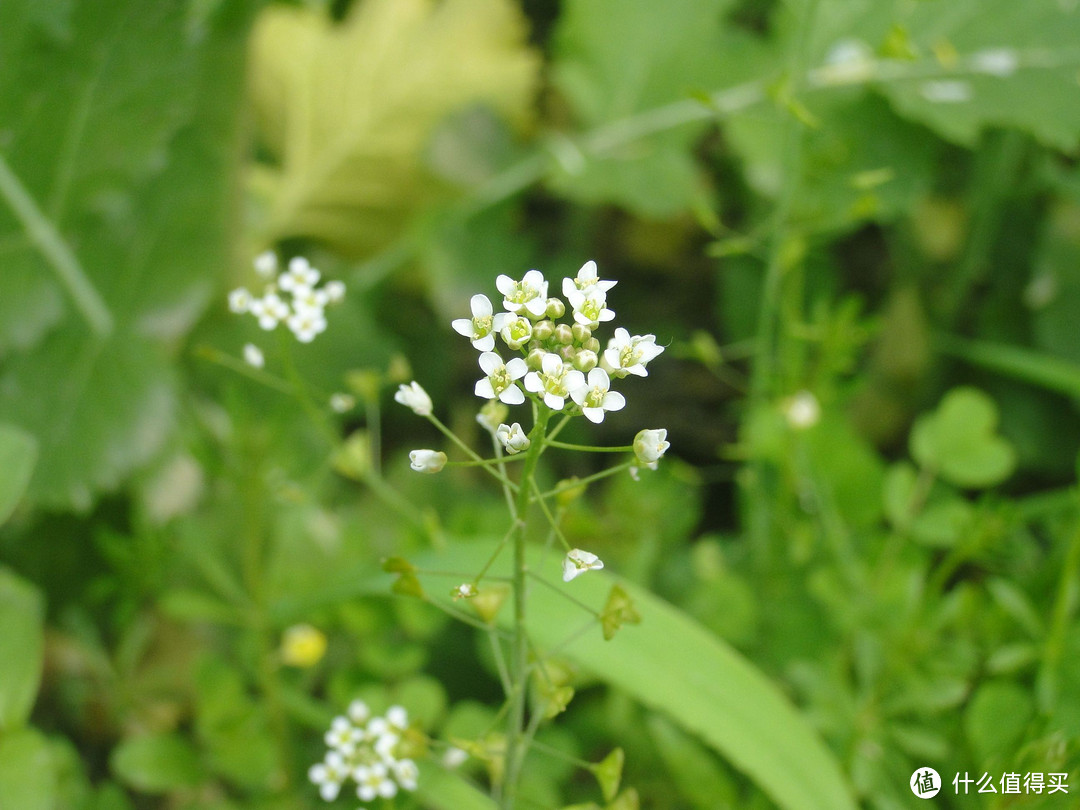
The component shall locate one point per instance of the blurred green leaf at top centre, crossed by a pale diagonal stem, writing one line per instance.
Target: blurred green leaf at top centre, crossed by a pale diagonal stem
(617, 59)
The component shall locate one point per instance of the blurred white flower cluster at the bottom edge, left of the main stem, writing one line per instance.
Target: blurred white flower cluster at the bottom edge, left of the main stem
(366, 749)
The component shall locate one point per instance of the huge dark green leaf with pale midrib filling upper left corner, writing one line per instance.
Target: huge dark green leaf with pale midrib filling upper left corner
(119, 123)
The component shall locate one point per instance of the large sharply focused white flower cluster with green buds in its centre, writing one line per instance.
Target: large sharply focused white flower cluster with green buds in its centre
(561, 364)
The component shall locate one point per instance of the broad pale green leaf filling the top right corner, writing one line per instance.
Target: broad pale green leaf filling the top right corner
(971, 64)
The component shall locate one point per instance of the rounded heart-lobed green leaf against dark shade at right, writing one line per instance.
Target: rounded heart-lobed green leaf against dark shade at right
(960, 443)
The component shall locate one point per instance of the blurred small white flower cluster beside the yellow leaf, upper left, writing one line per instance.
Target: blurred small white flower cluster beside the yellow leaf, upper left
(302, 309)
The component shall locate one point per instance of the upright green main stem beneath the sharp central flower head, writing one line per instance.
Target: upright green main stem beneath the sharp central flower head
(517, 737)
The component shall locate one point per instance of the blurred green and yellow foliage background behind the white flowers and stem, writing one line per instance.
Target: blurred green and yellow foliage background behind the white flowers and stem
(874, 202)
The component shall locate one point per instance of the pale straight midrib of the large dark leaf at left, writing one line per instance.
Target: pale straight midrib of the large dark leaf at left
(48, 240)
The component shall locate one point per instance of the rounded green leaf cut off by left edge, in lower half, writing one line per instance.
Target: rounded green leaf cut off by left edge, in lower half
(22, 650)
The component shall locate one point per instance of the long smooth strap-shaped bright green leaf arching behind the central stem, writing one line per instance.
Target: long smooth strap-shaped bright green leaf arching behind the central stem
(674, 666)
